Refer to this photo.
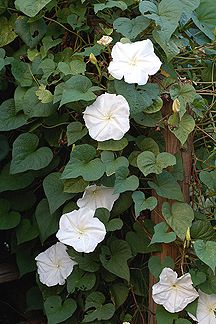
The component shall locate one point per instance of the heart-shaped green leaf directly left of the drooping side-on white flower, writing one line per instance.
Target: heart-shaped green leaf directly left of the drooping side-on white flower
(54, 191)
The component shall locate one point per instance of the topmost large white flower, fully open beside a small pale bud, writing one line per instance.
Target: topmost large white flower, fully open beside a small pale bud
(134, 61)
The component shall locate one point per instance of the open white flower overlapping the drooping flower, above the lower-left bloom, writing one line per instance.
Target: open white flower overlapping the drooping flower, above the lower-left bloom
(81, 230)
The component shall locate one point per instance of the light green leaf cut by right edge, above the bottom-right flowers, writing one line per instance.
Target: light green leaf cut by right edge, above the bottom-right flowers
(206, 252)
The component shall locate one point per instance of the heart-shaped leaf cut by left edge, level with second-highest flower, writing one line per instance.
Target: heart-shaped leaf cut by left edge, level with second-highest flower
(8, 118)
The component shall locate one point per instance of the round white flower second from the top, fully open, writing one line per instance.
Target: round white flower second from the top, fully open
(108, 117)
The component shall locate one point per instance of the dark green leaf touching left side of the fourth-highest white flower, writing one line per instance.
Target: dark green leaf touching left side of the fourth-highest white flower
(47, 223)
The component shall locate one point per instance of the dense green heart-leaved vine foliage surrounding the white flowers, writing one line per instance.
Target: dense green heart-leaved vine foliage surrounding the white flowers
(48, 76)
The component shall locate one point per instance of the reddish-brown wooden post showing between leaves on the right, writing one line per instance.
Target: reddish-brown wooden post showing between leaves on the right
(173, 146)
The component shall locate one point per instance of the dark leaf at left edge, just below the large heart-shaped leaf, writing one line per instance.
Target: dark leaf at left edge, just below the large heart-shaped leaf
(14, 181)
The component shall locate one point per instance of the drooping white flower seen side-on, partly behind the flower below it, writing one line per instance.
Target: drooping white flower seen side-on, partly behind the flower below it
(98, 197)
